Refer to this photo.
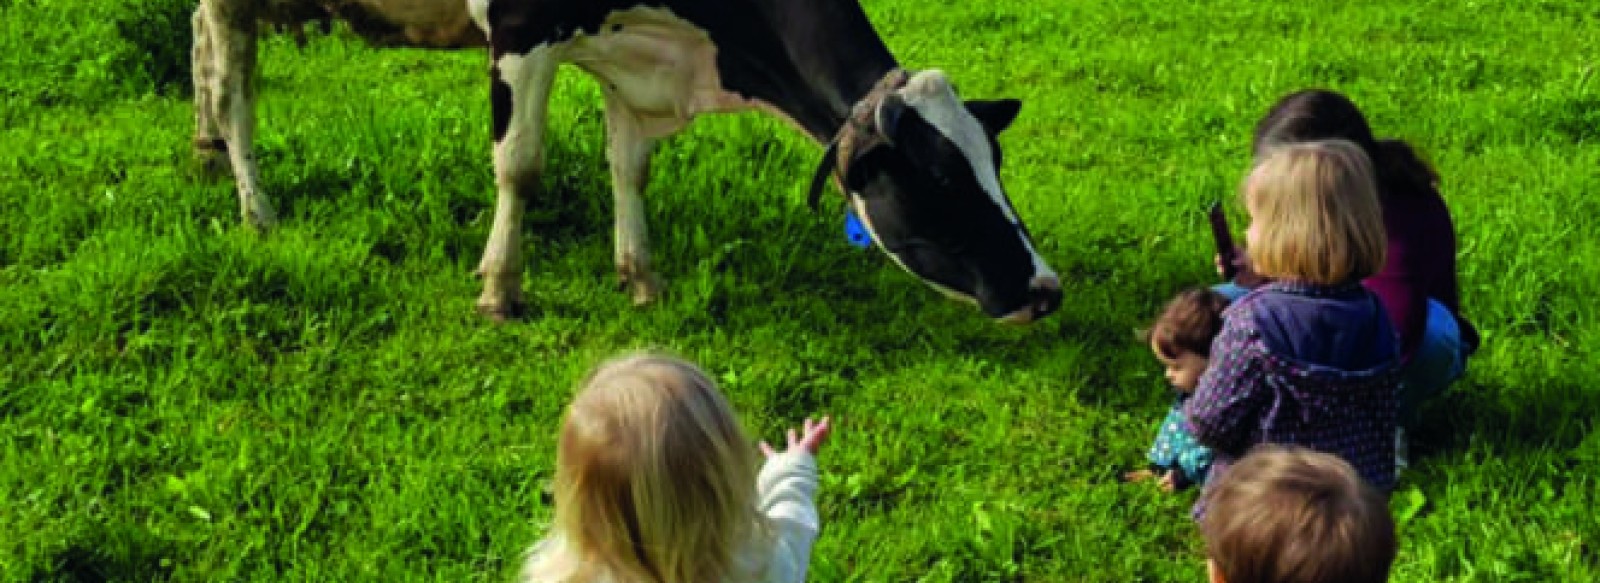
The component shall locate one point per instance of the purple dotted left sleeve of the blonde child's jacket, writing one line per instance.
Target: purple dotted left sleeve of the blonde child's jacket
(1233, 393)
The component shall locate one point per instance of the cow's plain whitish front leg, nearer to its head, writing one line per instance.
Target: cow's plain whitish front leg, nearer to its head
(630, 153)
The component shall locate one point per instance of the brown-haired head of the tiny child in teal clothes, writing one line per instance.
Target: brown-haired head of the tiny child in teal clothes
(1182, 337)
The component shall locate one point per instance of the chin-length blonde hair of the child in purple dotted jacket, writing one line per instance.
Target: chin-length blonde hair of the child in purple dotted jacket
(1316, 212)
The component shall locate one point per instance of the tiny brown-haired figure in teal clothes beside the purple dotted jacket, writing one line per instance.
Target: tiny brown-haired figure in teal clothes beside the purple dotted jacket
(1182, 340)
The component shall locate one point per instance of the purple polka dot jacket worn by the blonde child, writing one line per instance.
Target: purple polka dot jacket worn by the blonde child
(1302, 364)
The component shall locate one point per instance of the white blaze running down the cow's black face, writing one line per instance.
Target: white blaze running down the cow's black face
(935, 100)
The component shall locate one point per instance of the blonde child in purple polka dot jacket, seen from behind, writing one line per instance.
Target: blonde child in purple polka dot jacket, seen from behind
(1310, 360)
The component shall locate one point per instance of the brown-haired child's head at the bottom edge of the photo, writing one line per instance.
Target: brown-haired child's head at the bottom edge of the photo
(1289, 515)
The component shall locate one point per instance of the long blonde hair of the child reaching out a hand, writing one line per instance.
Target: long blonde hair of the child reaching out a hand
(655, 481)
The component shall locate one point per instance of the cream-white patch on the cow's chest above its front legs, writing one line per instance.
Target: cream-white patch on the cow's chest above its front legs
(660, 66)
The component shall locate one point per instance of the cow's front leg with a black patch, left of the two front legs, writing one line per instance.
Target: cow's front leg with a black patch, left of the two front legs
(519, 99)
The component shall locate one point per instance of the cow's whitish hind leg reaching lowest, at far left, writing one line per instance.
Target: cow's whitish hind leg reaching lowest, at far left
(231, 30)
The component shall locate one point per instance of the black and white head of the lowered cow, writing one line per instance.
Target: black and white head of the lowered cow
(922, 171)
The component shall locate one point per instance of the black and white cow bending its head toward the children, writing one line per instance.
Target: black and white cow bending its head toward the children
(919, 164)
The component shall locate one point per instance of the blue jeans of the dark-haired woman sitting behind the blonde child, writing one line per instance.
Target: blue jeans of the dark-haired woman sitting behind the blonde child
(1439, 360)
